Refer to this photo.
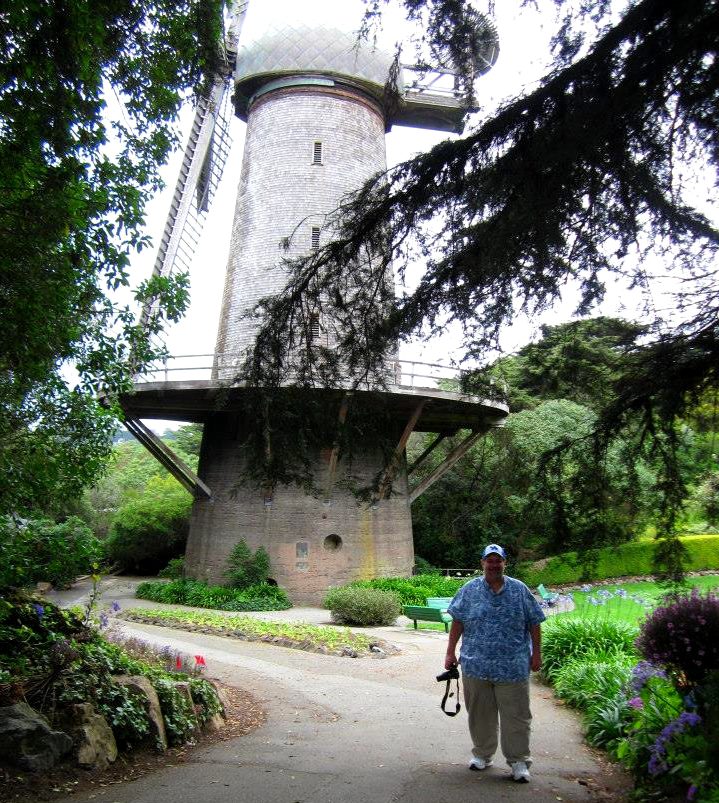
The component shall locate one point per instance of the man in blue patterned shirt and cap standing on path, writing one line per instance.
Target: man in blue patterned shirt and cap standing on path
(499, 622)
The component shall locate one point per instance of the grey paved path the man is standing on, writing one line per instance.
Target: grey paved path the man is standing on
(355, 730)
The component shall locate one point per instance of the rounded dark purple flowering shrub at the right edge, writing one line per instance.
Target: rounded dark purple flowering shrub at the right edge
(683, 635)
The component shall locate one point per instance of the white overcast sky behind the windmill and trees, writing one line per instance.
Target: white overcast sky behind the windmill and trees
(522, 60)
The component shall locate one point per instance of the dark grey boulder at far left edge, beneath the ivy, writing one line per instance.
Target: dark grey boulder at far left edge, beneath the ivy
(27, 740)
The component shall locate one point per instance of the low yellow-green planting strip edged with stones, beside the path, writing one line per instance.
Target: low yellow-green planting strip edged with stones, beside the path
(291, 634)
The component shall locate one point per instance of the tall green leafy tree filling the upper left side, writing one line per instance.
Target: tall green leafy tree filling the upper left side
(76, 171)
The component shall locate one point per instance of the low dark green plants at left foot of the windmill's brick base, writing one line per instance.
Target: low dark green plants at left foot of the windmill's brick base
(261, 597)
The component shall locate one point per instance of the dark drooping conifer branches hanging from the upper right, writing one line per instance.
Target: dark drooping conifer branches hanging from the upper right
(591, 176)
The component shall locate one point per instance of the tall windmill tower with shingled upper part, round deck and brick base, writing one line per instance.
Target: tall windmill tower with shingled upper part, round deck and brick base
(314, 102)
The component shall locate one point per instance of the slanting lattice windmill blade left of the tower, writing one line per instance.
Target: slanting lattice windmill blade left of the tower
(202, 166)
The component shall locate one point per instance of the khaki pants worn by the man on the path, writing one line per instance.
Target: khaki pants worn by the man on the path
(506, 705)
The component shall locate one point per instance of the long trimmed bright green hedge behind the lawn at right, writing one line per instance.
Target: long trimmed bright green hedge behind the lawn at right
(626, 560)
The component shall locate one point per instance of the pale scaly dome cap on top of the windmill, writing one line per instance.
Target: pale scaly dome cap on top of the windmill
(317, 51)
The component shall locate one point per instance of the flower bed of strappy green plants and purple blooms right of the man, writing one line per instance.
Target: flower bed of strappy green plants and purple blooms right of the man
(649, 691)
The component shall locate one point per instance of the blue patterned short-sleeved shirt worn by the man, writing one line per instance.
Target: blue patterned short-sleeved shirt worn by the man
(496, 643)
